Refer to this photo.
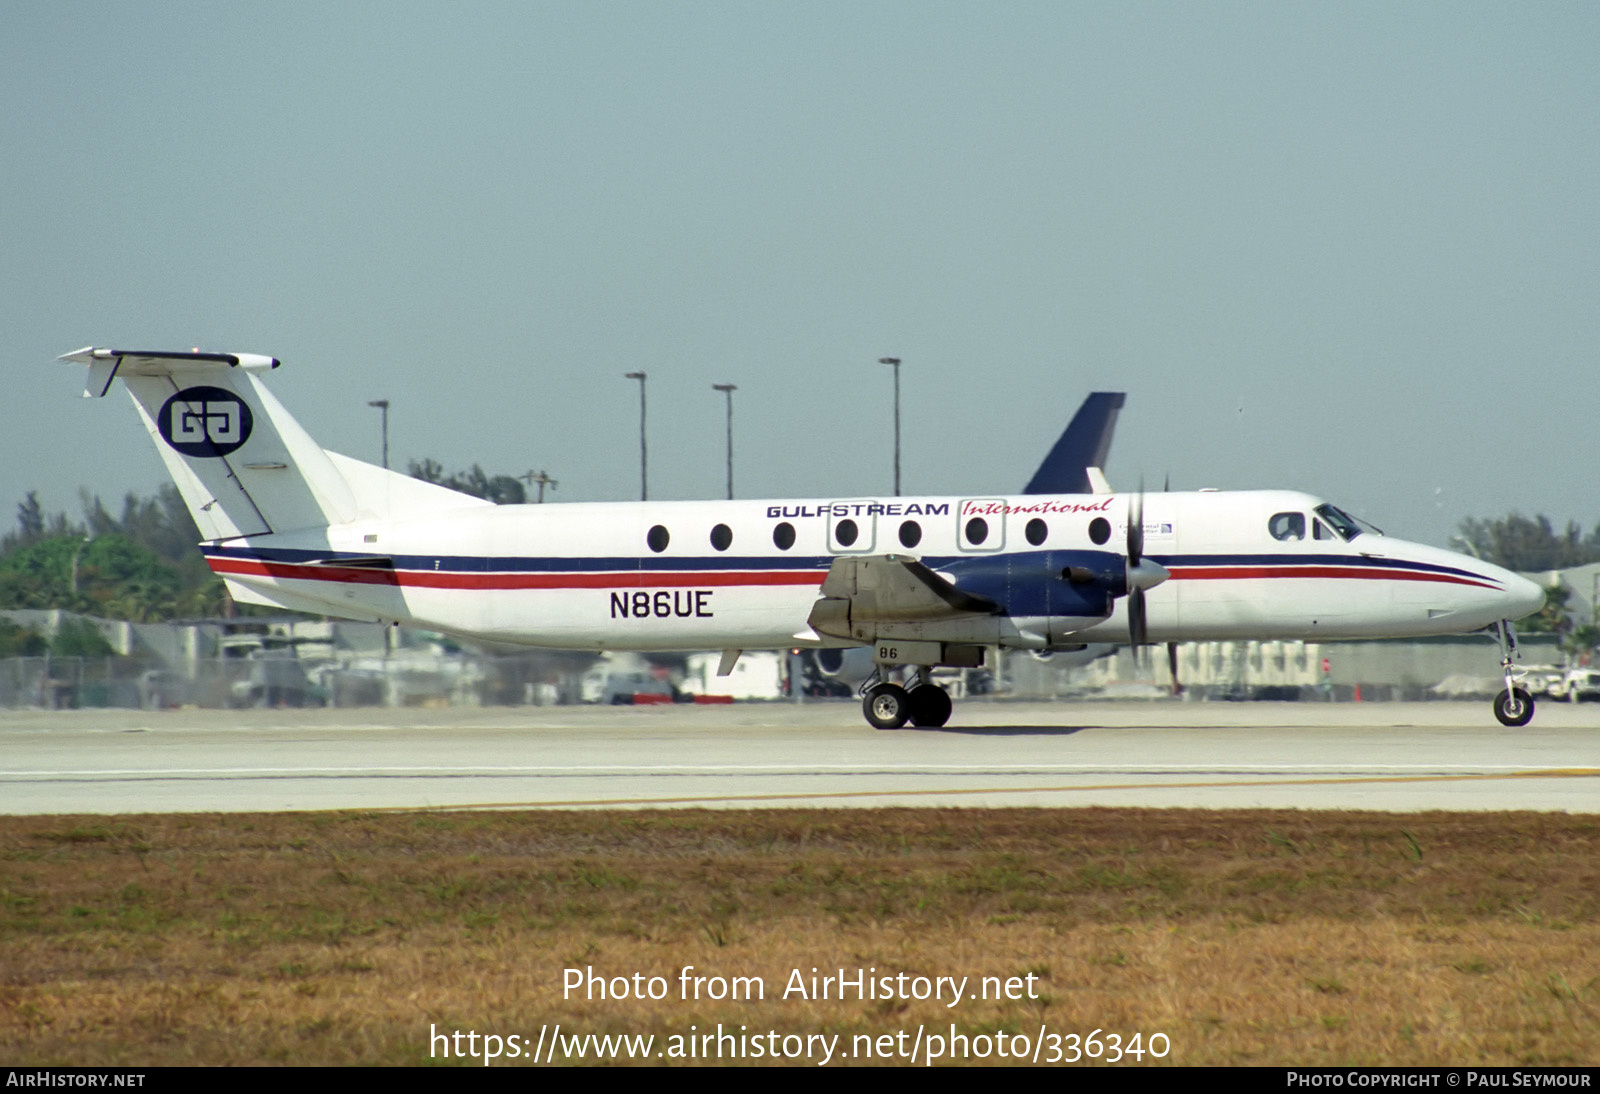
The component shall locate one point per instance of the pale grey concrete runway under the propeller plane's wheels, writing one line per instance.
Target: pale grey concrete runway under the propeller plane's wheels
(1396, 757)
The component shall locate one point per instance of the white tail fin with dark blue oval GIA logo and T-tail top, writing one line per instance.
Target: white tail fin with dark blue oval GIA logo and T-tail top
(242, 463)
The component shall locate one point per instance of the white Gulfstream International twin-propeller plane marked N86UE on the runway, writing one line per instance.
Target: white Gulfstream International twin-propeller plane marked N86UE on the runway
(921, 581)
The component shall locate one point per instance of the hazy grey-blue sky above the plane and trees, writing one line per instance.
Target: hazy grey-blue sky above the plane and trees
(1338, 247)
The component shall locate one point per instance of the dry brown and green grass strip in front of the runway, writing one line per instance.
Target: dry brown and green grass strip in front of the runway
(1244, 938)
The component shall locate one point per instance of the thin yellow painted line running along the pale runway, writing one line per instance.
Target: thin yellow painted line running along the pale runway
(826, 796)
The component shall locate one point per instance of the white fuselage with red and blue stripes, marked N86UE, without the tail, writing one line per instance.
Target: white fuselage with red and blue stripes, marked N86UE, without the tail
(746, 575)
